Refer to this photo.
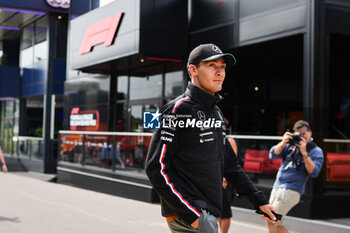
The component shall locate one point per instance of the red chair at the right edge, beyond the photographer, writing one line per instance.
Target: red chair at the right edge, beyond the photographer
(338, 167)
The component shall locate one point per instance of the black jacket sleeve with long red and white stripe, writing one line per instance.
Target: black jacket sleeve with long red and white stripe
(164, 146)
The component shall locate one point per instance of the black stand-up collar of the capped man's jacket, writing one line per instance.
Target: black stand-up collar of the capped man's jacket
(201, 96)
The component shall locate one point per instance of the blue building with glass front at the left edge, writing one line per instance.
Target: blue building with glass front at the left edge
(32, 74)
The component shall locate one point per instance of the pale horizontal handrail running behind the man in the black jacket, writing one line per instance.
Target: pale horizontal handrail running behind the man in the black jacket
(258, 137)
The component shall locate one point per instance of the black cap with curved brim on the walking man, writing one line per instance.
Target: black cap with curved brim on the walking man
(209, 52)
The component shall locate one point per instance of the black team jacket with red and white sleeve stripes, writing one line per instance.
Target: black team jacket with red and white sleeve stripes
(190, 154)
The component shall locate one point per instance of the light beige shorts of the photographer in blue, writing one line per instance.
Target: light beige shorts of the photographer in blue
(284, 200)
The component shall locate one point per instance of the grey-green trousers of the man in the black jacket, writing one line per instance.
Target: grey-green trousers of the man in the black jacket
(207, 224)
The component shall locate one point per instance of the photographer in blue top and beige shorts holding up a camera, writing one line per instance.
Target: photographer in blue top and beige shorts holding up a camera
(301, 158)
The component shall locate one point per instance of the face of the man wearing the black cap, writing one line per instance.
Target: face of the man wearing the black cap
(209, 75)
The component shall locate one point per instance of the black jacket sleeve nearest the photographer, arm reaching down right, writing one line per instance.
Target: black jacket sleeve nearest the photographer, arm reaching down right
(240, 181)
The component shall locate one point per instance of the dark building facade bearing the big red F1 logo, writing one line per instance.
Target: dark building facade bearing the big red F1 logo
(128, 57)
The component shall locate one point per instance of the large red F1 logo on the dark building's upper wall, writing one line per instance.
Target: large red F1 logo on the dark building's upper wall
(101, 32)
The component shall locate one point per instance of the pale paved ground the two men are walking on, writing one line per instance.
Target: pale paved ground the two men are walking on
(29, 203)
